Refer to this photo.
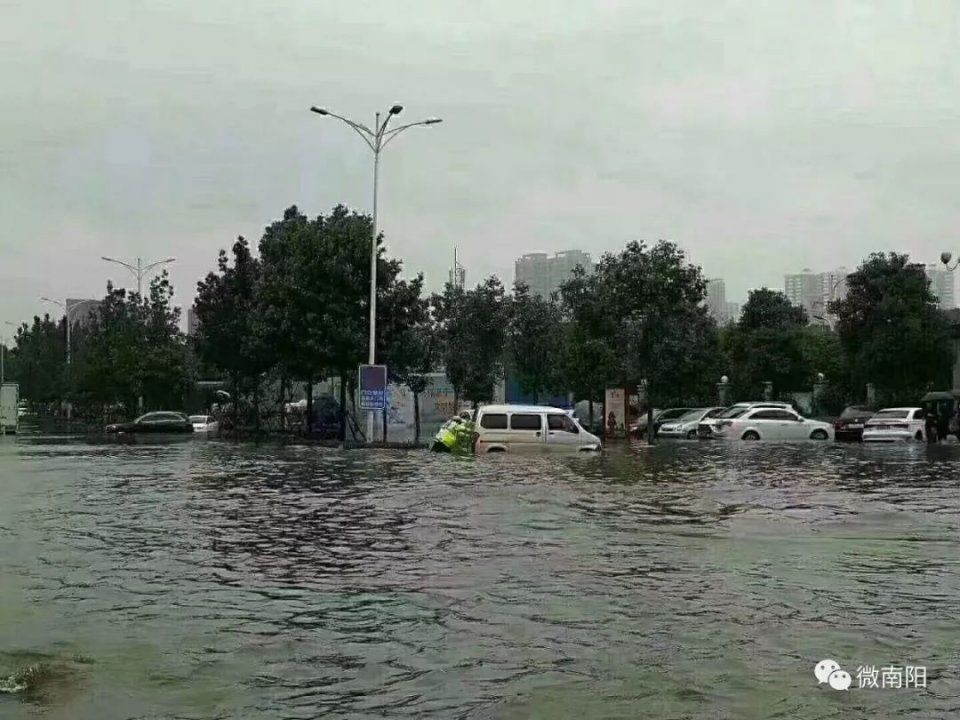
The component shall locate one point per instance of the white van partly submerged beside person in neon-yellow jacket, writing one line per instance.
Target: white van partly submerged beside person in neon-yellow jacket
(529, 428)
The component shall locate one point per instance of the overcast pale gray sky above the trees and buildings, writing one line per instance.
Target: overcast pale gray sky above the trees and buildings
(762, 136)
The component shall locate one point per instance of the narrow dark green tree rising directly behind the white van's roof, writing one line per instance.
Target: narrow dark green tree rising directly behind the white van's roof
(535, 335)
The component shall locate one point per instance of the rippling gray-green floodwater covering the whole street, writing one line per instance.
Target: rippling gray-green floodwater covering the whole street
(202, 579)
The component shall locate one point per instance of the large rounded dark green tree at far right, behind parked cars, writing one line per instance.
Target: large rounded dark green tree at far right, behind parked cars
(893, 333)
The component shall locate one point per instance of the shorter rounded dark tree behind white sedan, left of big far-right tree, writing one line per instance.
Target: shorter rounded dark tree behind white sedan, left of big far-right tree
(766, 345)
